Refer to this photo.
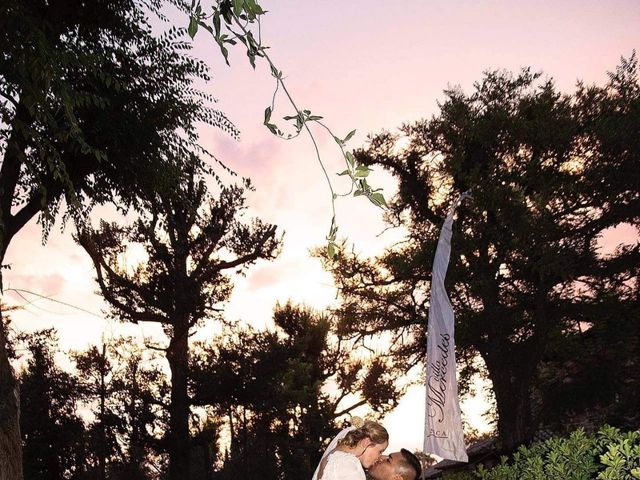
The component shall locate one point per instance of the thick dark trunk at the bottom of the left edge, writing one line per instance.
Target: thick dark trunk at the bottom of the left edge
(10, 441)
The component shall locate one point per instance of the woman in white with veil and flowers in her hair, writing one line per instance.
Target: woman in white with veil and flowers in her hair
(354, 449)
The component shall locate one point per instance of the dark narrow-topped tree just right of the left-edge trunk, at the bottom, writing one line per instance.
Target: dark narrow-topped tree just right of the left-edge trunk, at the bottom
(54, 434)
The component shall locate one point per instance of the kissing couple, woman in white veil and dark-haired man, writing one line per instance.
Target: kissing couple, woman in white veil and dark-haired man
(359, 448)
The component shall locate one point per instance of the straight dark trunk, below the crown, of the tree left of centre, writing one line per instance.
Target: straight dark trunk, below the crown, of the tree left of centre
(178, 356)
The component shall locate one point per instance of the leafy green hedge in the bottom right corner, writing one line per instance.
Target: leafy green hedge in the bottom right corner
(608, 455)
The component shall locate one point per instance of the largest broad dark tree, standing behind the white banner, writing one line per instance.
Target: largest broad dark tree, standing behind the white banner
(549, 174)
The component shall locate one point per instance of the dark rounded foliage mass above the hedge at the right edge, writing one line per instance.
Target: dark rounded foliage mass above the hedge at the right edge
(591, 376)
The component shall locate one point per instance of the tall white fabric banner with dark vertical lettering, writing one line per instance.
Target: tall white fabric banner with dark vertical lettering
(443, 434)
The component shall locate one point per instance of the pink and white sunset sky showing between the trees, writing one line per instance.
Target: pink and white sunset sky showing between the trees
(365, 65)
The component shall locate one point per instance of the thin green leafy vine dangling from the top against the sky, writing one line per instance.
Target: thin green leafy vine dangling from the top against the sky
(238, 21)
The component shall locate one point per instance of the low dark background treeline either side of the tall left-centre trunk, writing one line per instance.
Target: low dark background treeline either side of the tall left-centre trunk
(260, 408)
